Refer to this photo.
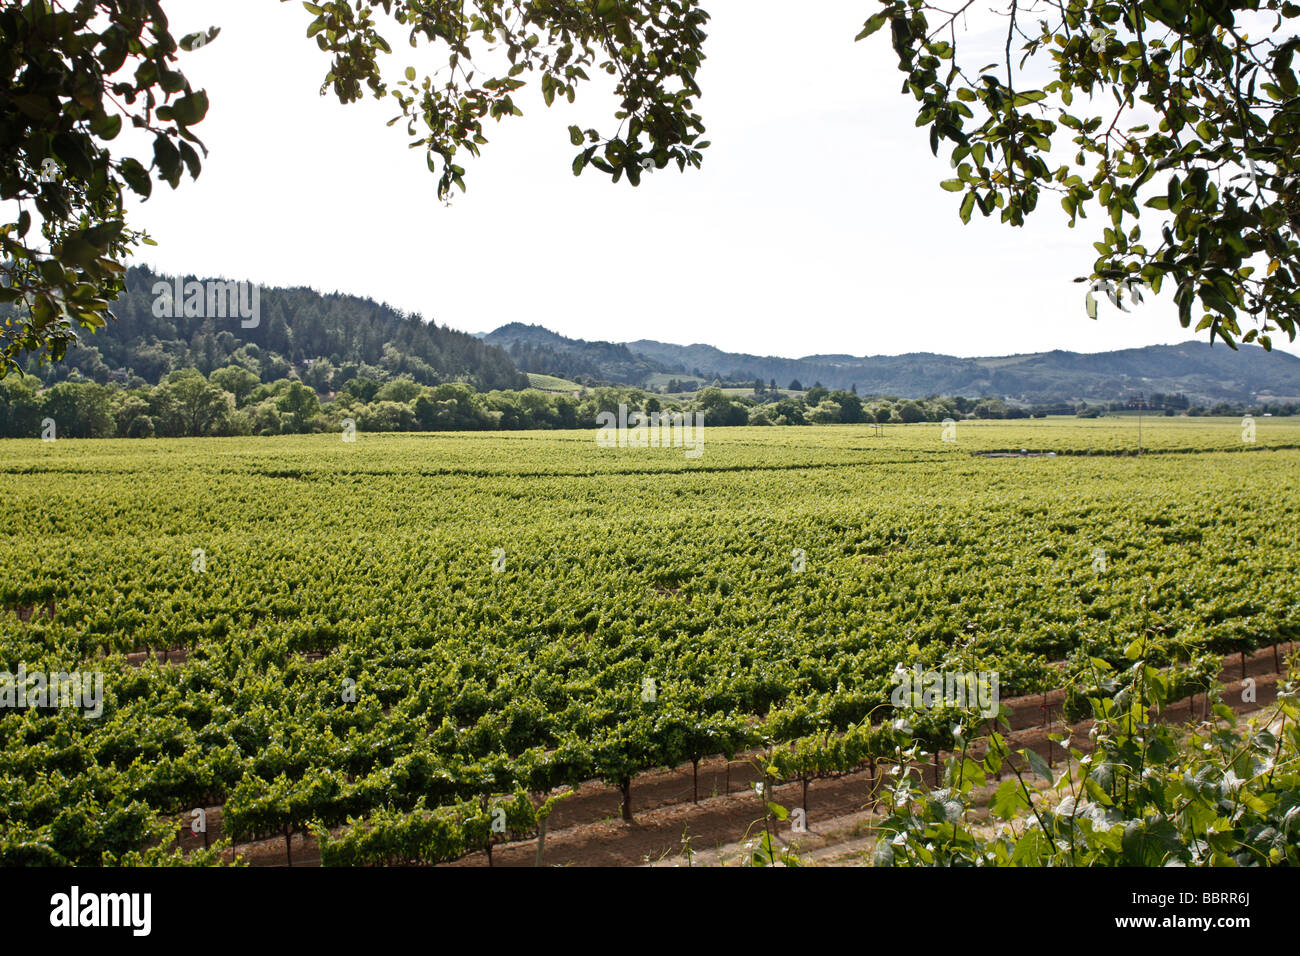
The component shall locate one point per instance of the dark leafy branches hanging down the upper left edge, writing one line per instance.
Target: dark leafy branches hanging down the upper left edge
(72, 80)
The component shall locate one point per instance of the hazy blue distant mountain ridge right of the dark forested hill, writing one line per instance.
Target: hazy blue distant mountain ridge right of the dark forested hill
(1204, 374)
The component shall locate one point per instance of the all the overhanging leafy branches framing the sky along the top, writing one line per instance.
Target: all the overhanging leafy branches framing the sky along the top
(1182, 122)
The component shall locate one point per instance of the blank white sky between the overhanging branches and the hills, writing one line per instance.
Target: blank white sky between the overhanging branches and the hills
(817, 223)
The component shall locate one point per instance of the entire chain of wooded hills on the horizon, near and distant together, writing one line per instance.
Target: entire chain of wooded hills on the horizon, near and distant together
(331, 338)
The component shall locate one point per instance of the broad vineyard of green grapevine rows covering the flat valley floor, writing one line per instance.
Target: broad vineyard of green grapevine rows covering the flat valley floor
(414, 622)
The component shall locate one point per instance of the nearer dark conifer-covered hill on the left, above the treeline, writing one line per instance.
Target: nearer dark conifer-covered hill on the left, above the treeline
(297, 328)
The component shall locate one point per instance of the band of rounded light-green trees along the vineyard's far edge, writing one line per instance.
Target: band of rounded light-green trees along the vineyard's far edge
(235, 401)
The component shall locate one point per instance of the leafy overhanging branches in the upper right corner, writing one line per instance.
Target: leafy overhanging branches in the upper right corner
(1189, 111)
